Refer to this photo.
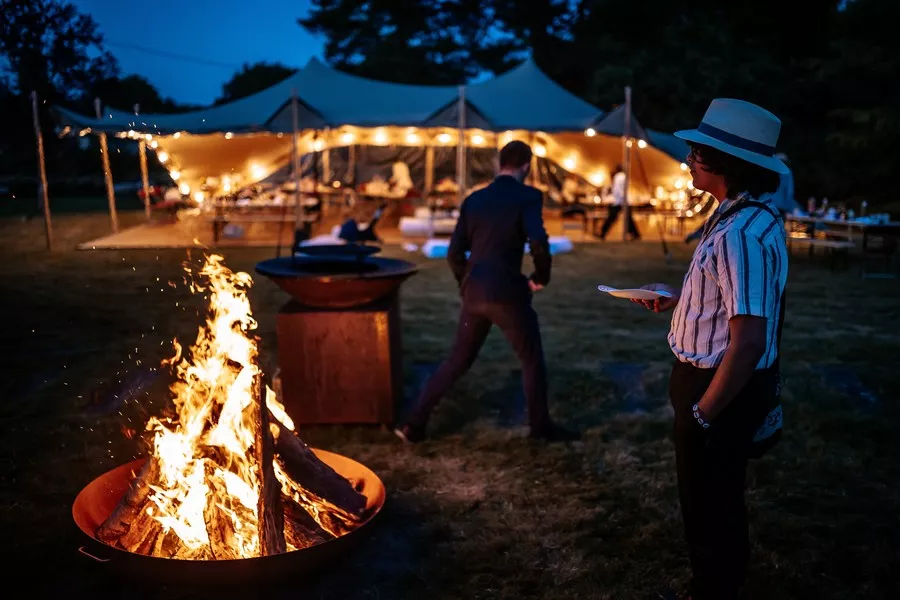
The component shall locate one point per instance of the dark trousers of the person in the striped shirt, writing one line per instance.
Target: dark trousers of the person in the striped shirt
(712, 465)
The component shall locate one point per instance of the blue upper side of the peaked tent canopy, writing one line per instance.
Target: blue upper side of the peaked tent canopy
(522, 98)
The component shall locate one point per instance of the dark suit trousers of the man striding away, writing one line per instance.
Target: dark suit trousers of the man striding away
(519, 324)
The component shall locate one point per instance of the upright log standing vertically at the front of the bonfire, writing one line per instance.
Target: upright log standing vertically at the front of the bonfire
(269, 511)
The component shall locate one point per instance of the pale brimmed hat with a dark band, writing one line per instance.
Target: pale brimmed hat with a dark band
(740, 129)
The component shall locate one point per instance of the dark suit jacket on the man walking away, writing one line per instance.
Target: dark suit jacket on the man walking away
(494, 225)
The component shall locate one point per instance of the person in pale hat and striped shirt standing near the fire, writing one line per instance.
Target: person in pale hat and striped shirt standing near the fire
(725, 335)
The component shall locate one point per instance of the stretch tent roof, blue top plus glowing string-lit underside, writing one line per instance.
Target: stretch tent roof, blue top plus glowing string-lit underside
(249, 139)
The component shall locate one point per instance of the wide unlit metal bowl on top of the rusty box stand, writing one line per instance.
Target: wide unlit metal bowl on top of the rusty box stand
(337, 281)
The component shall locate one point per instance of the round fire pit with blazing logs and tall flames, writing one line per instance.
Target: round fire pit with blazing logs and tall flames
(229, 491)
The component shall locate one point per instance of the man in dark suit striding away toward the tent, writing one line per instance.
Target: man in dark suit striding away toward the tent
(486, 254)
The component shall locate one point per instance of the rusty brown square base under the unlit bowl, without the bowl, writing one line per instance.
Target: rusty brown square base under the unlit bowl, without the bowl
(341, 365)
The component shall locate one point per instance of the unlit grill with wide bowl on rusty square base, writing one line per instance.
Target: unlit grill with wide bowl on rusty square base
(339, 342)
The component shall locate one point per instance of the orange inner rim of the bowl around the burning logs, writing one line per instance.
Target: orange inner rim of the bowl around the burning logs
(88, 517)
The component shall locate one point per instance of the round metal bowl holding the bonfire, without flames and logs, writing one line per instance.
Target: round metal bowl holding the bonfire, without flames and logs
(99, 499)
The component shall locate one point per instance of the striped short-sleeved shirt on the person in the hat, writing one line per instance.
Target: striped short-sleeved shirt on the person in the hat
(739, 268)
